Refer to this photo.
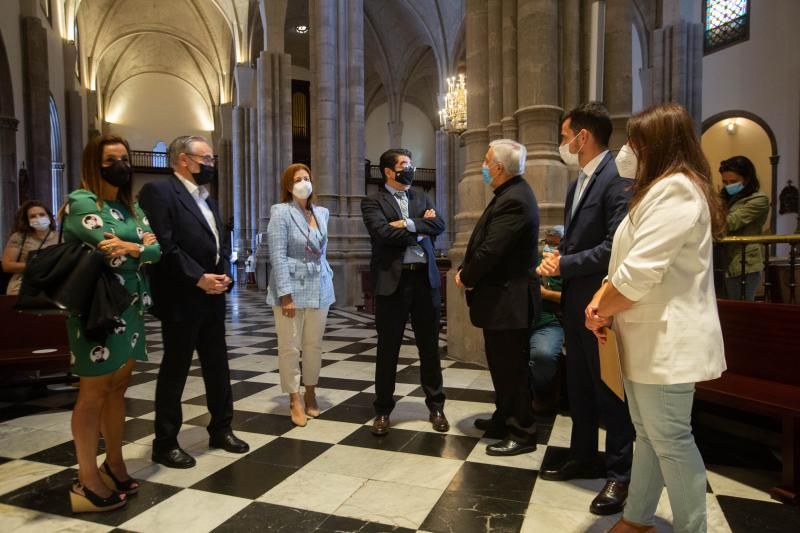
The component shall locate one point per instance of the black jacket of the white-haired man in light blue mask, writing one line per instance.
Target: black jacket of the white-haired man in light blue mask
(500, 261)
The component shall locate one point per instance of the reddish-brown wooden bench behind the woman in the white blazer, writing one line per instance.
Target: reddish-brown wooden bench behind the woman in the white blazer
(762, 350)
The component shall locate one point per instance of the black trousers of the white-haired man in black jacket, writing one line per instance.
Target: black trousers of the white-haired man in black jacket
(507, 355)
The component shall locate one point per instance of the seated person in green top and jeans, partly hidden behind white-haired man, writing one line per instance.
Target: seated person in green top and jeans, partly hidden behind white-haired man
(547, 336)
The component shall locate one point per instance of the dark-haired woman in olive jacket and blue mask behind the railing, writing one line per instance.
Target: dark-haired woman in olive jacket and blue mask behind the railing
(747, 212)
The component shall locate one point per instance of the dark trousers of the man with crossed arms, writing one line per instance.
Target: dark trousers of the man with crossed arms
(414, 295)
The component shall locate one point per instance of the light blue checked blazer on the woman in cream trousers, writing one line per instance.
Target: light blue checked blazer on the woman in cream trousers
(307, 277)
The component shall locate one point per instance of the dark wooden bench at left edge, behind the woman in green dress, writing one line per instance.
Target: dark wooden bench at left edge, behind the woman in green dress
(30, 342)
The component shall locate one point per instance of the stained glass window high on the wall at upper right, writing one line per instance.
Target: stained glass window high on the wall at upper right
(726, 22)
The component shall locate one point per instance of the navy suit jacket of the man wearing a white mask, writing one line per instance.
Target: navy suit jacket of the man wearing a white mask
(586, 246)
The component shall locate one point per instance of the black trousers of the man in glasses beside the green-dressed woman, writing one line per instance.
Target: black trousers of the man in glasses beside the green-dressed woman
(206, 333)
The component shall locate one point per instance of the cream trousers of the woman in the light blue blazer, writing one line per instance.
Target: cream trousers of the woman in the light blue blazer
(303, 333)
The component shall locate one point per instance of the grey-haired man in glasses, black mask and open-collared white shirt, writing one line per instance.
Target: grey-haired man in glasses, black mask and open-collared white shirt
(189, 288)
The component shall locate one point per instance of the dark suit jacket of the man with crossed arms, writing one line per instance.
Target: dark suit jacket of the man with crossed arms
(389, 244)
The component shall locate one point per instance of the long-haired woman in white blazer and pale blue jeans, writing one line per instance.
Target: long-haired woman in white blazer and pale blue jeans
(660, 295)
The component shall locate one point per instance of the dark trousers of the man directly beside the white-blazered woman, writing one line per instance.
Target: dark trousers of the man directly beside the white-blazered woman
(590, 400)
